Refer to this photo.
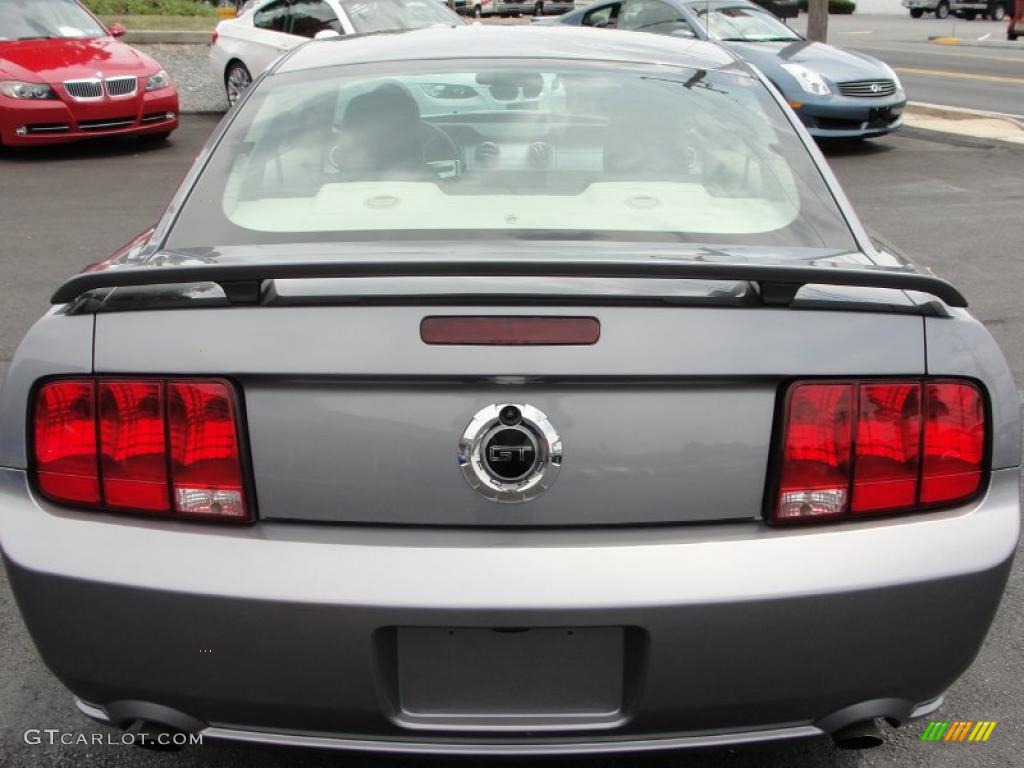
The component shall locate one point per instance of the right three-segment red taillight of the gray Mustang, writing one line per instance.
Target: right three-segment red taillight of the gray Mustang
(875, 447)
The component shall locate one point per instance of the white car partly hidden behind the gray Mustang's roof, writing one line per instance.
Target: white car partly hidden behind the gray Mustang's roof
(243, 48)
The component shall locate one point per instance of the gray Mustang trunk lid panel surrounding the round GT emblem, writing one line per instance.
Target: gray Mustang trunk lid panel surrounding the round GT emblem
(353, 418)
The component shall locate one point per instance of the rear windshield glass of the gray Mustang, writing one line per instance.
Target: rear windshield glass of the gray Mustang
(509, 150)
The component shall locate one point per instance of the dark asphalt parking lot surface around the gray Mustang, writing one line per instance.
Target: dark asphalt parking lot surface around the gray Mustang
(953, 206)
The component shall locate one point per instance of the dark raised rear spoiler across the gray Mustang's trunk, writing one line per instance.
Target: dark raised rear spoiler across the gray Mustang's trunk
(243, 284)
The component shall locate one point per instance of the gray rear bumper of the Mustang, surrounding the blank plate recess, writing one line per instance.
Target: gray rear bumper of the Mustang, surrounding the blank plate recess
(280, 633)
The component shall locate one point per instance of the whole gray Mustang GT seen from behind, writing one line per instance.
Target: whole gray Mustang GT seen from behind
(545, 399)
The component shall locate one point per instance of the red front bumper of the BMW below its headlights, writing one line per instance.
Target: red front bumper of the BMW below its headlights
(52, 122)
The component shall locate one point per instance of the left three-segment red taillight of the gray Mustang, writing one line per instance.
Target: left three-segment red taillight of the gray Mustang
(149, 446)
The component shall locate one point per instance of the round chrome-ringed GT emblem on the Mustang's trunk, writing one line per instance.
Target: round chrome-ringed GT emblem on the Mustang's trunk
(510, 453)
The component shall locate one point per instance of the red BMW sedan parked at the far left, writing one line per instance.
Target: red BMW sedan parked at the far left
(64, 77)
